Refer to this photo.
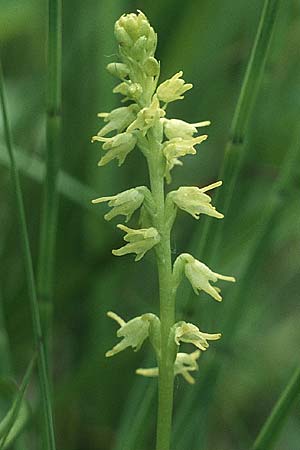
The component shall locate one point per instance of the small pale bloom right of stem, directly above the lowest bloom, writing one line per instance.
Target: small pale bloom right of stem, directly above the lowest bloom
(189, 333)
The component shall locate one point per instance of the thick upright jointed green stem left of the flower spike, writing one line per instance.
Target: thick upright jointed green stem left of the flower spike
(53, 136)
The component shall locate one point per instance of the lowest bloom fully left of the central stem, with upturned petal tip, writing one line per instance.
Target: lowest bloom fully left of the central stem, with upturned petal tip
(133, 332)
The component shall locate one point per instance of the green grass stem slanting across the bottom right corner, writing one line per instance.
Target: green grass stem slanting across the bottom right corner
(273, 425)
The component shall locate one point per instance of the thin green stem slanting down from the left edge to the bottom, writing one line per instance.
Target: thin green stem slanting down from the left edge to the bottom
(36, 321)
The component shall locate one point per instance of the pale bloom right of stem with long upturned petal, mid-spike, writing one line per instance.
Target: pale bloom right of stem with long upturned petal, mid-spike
(193, 200)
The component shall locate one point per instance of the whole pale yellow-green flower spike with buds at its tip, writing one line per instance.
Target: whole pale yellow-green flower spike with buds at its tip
(163, 142)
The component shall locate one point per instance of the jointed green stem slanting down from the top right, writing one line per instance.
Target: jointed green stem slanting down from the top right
(235, 147)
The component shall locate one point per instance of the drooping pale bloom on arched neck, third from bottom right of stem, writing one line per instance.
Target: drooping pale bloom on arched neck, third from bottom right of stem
(199, 275)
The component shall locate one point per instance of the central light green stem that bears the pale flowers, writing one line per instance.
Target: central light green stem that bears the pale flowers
(167, 306)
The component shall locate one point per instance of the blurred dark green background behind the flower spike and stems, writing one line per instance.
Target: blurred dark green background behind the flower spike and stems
(99, 403)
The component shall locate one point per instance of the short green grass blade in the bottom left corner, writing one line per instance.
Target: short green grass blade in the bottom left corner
(11, 425)
